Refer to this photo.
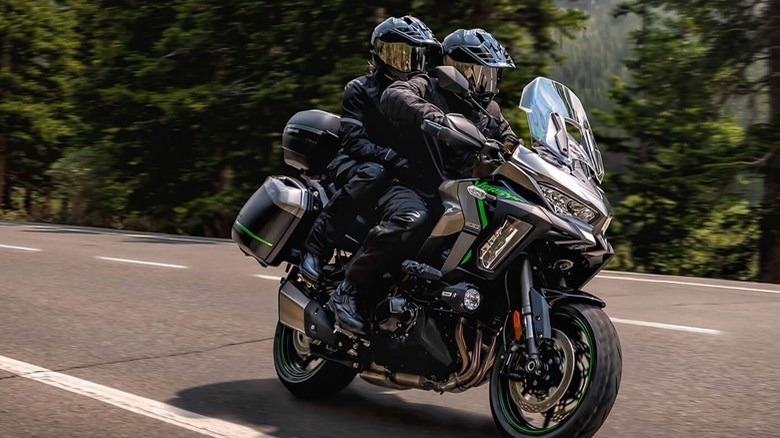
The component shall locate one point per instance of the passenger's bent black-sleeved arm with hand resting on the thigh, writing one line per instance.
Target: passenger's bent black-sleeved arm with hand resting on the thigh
(354, 137)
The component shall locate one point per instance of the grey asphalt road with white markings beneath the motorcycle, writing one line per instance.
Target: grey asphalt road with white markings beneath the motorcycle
(192, 328)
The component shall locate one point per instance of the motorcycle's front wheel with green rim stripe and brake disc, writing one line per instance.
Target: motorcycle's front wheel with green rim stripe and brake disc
(578, 388)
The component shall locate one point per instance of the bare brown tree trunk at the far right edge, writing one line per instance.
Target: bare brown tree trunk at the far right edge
(769, 245)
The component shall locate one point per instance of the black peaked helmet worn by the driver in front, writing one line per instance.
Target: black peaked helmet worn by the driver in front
(479, 57)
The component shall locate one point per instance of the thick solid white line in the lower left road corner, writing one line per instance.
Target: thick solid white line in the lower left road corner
(150, 408)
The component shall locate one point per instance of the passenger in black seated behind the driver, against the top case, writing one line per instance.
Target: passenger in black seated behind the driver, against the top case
(400, 48)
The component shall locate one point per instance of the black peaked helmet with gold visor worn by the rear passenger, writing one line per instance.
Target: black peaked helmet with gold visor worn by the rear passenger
(401, 47)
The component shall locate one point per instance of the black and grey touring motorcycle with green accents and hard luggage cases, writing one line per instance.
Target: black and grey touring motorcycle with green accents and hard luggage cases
(494, 295)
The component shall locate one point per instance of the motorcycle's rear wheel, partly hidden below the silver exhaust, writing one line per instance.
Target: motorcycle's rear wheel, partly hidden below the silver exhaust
(303, 374)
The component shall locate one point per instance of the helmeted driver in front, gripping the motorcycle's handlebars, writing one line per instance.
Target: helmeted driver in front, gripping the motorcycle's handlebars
(480, 58)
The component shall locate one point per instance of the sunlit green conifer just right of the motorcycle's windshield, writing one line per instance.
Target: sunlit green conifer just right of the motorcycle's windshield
(684, 155)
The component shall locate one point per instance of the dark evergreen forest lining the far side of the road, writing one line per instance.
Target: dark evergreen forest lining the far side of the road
(166, 115)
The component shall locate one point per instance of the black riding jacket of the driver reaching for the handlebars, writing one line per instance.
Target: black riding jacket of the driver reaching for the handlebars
(409, 103)
